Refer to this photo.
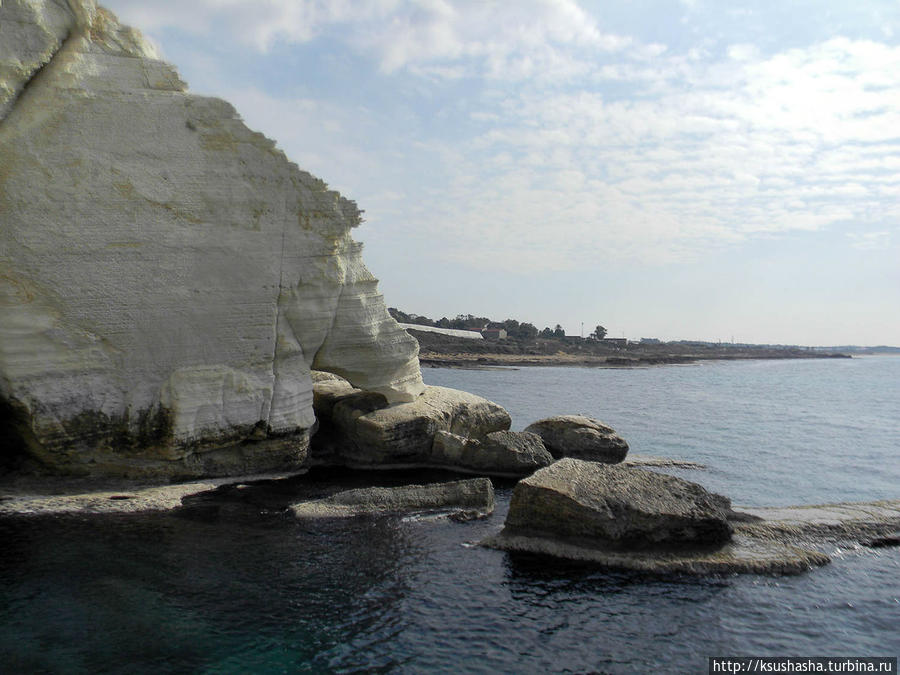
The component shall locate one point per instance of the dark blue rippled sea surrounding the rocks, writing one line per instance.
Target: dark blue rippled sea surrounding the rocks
(233, 584)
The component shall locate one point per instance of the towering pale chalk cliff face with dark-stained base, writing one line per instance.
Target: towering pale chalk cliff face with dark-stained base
(167, 277)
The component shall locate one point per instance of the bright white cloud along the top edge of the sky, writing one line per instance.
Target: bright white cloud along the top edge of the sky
(503, 40)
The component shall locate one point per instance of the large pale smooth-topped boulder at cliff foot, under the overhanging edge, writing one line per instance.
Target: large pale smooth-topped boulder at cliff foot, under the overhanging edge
(360, 429)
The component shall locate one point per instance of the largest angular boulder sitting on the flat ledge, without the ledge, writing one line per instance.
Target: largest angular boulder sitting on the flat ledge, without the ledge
(617, 506)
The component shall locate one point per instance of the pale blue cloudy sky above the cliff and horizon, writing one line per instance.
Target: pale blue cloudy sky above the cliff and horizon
(677, 169)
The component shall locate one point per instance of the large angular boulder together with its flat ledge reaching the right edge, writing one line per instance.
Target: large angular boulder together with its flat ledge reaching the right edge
(569, 511)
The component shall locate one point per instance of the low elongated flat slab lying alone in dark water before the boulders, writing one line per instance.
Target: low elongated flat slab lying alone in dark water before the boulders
(463, 499)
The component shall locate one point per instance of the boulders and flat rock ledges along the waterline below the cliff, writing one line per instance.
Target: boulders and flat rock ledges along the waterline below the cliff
(578, 495)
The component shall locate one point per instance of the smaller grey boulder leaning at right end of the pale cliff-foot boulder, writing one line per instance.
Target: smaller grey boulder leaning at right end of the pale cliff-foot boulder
(510, 454)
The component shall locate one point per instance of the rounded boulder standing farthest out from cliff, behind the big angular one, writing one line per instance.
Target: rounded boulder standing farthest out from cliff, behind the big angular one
(580, 437)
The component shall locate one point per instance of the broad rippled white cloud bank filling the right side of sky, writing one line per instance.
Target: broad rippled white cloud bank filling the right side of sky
(798, 142)
